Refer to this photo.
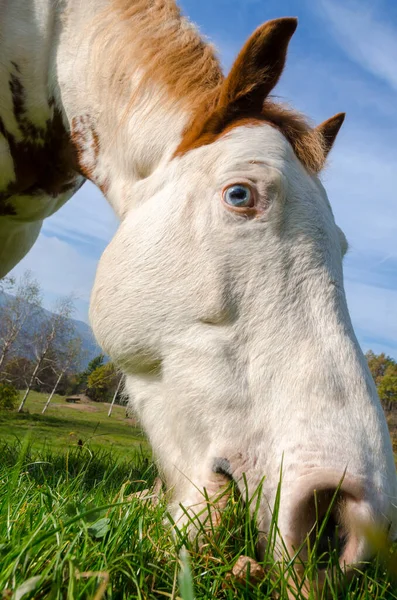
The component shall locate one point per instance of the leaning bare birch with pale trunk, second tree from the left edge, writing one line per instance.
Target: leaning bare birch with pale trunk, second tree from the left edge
(49, 337)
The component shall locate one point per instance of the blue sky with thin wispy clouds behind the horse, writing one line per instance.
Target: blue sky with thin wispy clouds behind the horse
(343, 57)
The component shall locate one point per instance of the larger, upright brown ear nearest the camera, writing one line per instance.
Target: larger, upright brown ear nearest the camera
(259, 65)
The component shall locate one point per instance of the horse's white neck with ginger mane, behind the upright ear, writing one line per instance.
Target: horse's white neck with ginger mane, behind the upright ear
(126, 115)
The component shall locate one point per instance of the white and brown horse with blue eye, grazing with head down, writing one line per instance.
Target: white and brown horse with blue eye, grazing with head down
(221, 294)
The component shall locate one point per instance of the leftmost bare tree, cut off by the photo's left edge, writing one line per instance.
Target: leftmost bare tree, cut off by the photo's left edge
(19, 306)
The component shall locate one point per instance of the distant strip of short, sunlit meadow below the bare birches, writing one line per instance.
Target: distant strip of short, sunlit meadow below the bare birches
(63, 424)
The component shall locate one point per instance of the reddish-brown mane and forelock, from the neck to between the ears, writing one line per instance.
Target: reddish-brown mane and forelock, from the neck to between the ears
(154, 34)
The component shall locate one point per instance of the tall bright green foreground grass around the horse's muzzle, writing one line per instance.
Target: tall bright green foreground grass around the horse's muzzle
(68, 531)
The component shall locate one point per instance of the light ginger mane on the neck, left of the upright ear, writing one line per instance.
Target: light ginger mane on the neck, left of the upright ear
(154, 34)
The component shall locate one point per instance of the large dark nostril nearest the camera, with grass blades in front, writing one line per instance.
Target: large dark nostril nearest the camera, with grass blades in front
(327, 524)
